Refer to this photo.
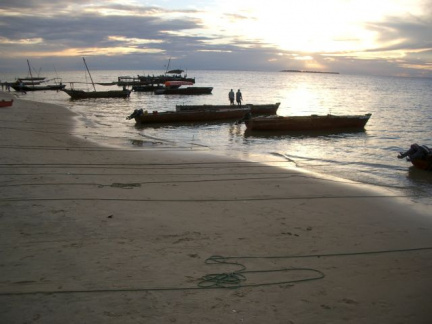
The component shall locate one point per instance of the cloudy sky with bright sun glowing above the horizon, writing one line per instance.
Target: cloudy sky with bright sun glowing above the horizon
(374, 37)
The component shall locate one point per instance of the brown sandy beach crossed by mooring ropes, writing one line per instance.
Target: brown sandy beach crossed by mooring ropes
(94, 234)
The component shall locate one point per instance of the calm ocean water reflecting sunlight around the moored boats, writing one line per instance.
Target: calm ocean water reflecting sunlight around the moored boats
(401, 111)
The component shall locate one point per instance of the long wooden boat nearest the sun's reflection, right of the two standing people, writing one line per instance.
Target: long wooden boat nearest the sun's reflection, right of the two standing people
(307, 123)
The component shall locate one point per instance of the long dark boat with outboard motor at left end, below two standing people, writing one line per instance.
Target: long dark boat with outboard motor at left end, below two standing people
(172, 117)
